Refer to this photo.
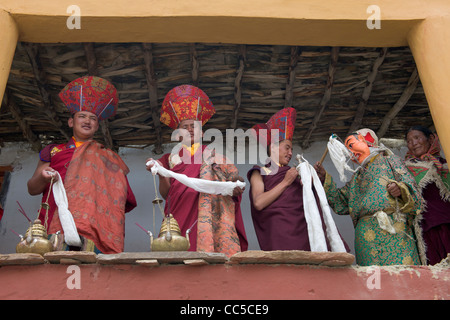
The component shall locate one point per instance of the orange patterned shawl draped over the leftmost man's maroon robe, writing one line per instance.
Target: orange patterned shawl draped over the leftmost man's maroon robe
(96, 188)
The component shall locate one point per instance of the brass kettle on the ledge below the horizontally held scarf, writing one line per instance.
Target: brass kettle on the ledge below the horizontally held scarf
(170, 238)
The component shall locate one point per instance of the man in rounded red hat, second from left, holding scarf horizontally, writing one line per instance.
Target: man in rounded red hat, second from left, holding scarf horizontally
(215, 221)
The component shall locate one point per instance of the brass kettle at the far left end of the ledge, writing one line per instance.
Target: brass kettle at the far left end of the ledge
(35, 240)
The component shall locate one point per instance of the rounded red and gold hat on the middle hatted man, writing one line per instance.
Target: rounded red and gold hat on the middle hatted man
(186, 102)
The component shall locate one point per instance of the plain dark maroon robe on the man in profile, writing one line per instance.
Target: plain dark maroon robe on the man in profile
(282, 224)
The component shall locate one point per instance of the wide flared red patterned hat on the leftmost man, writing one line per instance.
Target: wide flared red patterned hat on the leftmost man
(93, 94)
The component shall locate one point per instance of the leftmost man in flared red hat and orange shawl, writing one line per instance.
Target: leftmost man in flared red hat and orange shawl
(94, 178)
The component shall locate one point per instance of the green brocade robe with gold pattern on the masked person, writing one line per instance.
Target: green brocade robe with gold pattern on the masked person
(364, 196)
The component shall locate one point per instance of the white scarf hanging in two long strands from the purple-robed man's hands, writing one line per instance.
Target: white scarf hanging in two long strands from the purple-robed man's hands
(314, 223)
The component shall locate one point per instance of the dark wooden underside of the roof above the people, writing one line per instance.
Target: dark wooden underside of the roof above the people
(334, 90)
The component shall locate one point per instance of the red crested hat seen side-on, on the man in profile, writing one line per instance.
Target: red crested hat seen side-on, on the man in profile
(283, 120)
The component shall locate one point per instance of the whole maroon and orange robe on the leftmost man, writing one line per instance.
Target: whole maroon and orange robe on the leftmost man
(97, 189)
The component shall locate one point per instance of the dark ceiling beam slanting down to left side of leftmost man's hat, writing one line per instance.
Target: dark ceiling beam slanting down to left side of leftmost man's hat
(32, 51)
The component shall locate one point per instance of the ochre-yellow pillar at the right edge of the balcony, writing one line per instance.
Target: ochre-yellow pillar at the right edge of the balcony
(430, 44)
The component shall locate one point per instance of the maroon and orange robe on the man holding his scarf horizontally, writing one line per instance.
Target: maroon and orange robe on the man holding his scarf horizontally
(215, 220)
